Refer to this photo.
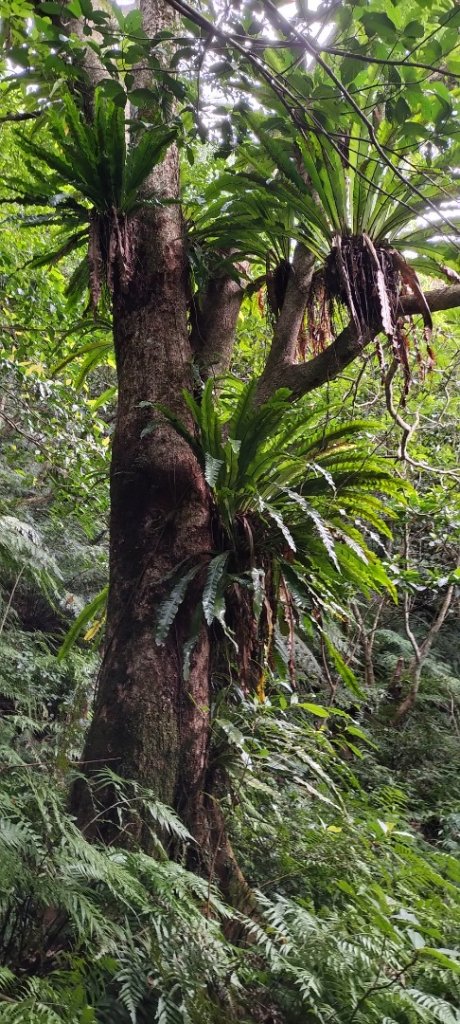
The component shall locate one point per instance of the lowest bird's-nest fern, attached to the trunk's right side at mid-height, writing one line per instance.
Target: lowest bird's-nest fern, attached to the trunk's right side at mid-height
(294, 499)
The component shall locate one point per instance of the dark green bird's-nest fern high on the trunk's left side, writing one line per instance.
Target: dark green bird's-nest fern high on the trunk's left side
(90, 182)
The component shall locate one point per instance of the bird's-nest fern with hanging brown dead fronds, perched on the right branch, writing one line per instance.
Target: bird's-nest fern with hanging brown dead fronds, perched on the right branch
(359, 218)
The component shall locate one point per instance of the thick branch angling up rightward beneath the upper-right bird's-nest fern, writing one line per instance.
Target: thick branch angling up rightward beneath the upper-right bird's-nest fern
(306, 377)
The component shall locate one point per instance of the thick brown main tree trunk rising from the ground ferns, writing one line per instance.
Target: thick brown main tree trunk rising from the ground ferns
(149, 724)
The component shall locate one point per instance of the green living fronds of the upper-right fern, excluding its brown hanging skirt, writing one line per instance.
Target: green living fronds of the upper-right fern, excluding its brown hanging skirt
(333, 188)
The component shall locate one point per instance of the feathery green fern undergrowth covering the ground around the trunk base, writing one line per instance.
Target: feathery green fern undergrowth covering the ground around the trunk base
(354, 918)
